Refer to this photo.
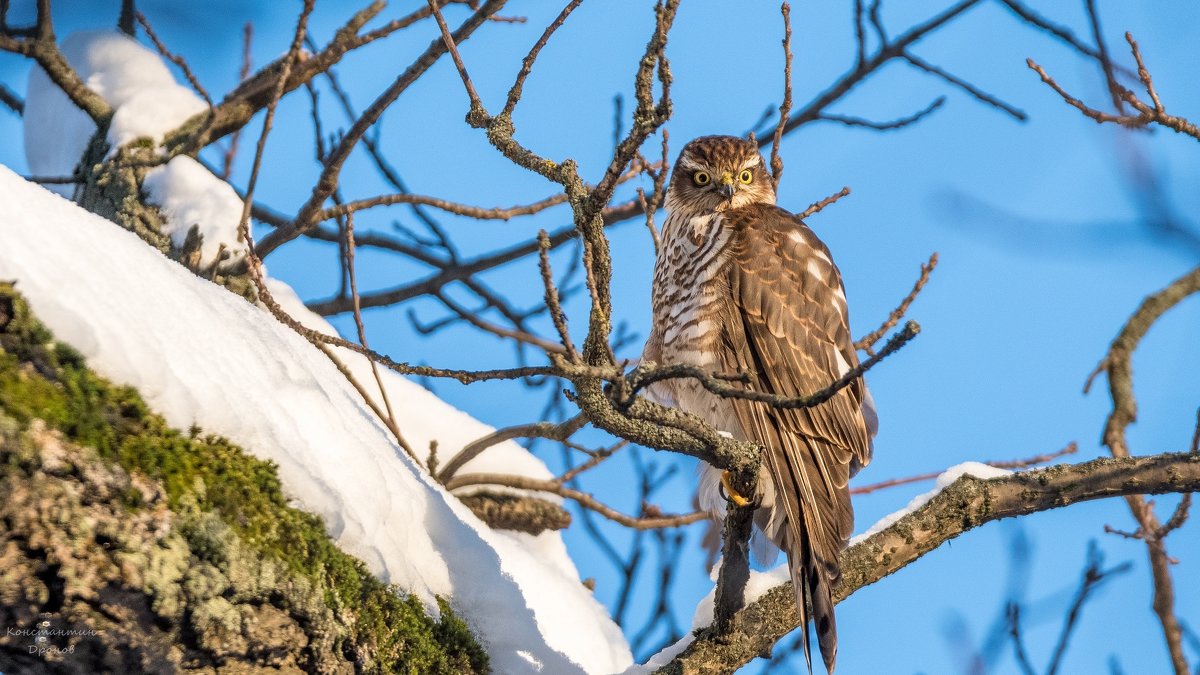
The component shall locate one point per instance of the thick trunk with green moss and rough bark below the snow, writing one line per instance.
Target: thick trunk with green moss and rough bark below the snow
(79, 445)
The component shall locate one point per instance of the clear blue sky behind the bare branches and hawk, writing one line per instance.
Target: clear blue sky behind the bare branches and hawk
(1043, 256)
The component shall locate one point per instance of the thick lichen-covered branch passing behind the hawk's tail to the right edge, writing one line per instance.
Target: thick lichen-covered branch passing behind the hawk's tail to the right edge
(968, 504)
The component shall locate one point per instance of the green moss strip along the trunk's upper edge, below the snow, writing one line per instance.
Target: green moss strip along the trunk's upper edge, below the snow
(49, 381)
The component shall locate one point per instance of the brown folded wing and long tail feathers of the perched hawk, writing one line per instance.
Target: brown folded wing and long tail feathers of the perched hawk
(787, 326)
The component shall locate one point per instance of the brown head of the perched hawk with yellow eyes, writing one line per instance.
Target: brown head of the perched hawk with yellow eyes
(716, 174)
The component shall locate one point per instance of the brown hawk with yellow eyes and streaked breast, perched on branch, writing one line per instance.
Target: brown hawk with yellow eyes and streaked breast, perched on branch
(745, 286)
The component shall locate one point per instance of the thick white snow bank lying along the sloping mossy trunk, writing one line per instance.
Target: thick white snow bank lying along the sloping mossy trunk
(201, 355)
